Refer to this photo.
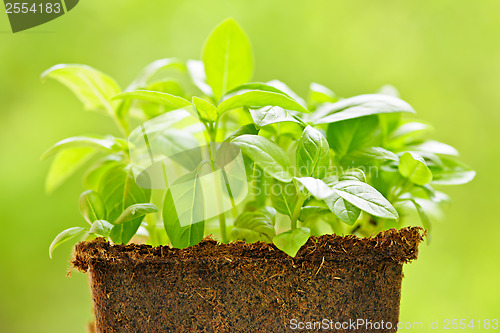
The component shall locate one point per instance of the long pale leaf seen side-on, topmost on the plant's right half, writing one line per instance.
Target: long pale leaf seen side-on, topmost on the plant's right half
(360, 106)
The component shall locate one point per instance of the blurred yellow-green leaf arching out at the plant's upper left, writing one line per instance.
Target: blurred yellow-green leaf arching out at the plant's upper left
(94, 88)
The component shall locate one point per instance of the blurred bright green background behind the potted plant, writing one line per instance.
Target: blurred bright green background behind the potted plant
(443, 56)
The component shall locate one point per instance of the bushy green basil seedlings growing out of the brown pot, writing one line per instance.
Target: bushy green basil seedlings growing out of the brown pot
(201, 149)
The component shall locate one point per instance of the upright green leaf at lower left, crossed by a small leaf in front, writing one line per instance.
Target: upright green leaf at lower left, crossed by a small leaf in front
(119, 190)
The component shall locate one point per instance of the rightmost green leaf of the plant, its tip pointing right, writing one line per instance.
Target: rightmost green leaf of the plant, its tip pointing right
(452, 173)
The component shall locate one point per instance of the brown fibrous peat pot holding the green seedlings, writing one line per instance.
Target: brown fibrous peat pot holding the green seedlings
(241, 287)
